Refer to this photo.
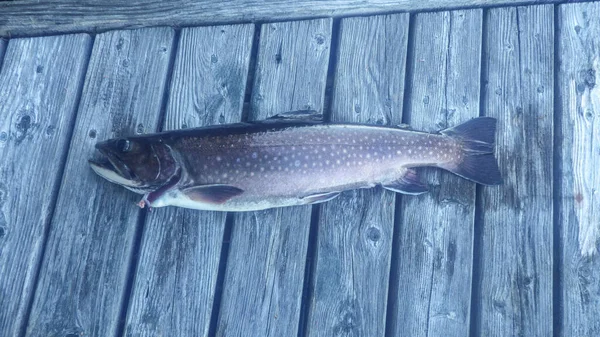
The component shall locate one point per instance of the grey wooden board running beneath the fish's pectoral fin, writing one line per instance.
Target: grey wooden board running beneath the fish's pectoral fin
(181, 248)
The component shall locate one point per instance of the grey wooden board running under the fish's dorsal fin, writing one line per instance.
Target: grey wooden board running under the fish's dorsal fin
(265, 267)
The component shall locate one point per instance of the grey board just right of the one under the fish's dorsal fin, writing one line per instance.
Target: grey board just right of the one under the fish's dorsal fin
(355, 230)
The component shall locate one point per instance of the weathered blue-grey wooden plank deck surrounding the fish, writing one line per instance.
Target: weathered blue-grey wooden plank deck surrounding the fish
(78, 258)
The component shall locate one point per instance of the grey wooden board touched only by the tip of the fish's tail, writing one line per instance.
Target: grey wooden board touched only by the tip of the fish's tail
(515, 296)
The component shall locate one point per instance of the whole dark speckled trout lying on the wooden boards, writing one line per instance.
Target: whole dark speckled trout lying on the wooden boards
(293, 158)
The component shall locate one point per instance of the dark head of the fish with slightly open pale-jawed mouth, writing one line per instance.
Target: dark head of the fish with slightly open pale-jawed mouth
(138, 164)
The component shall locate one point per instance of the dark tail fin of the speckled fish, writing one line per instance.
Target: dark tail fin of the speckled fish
(477, 162)
